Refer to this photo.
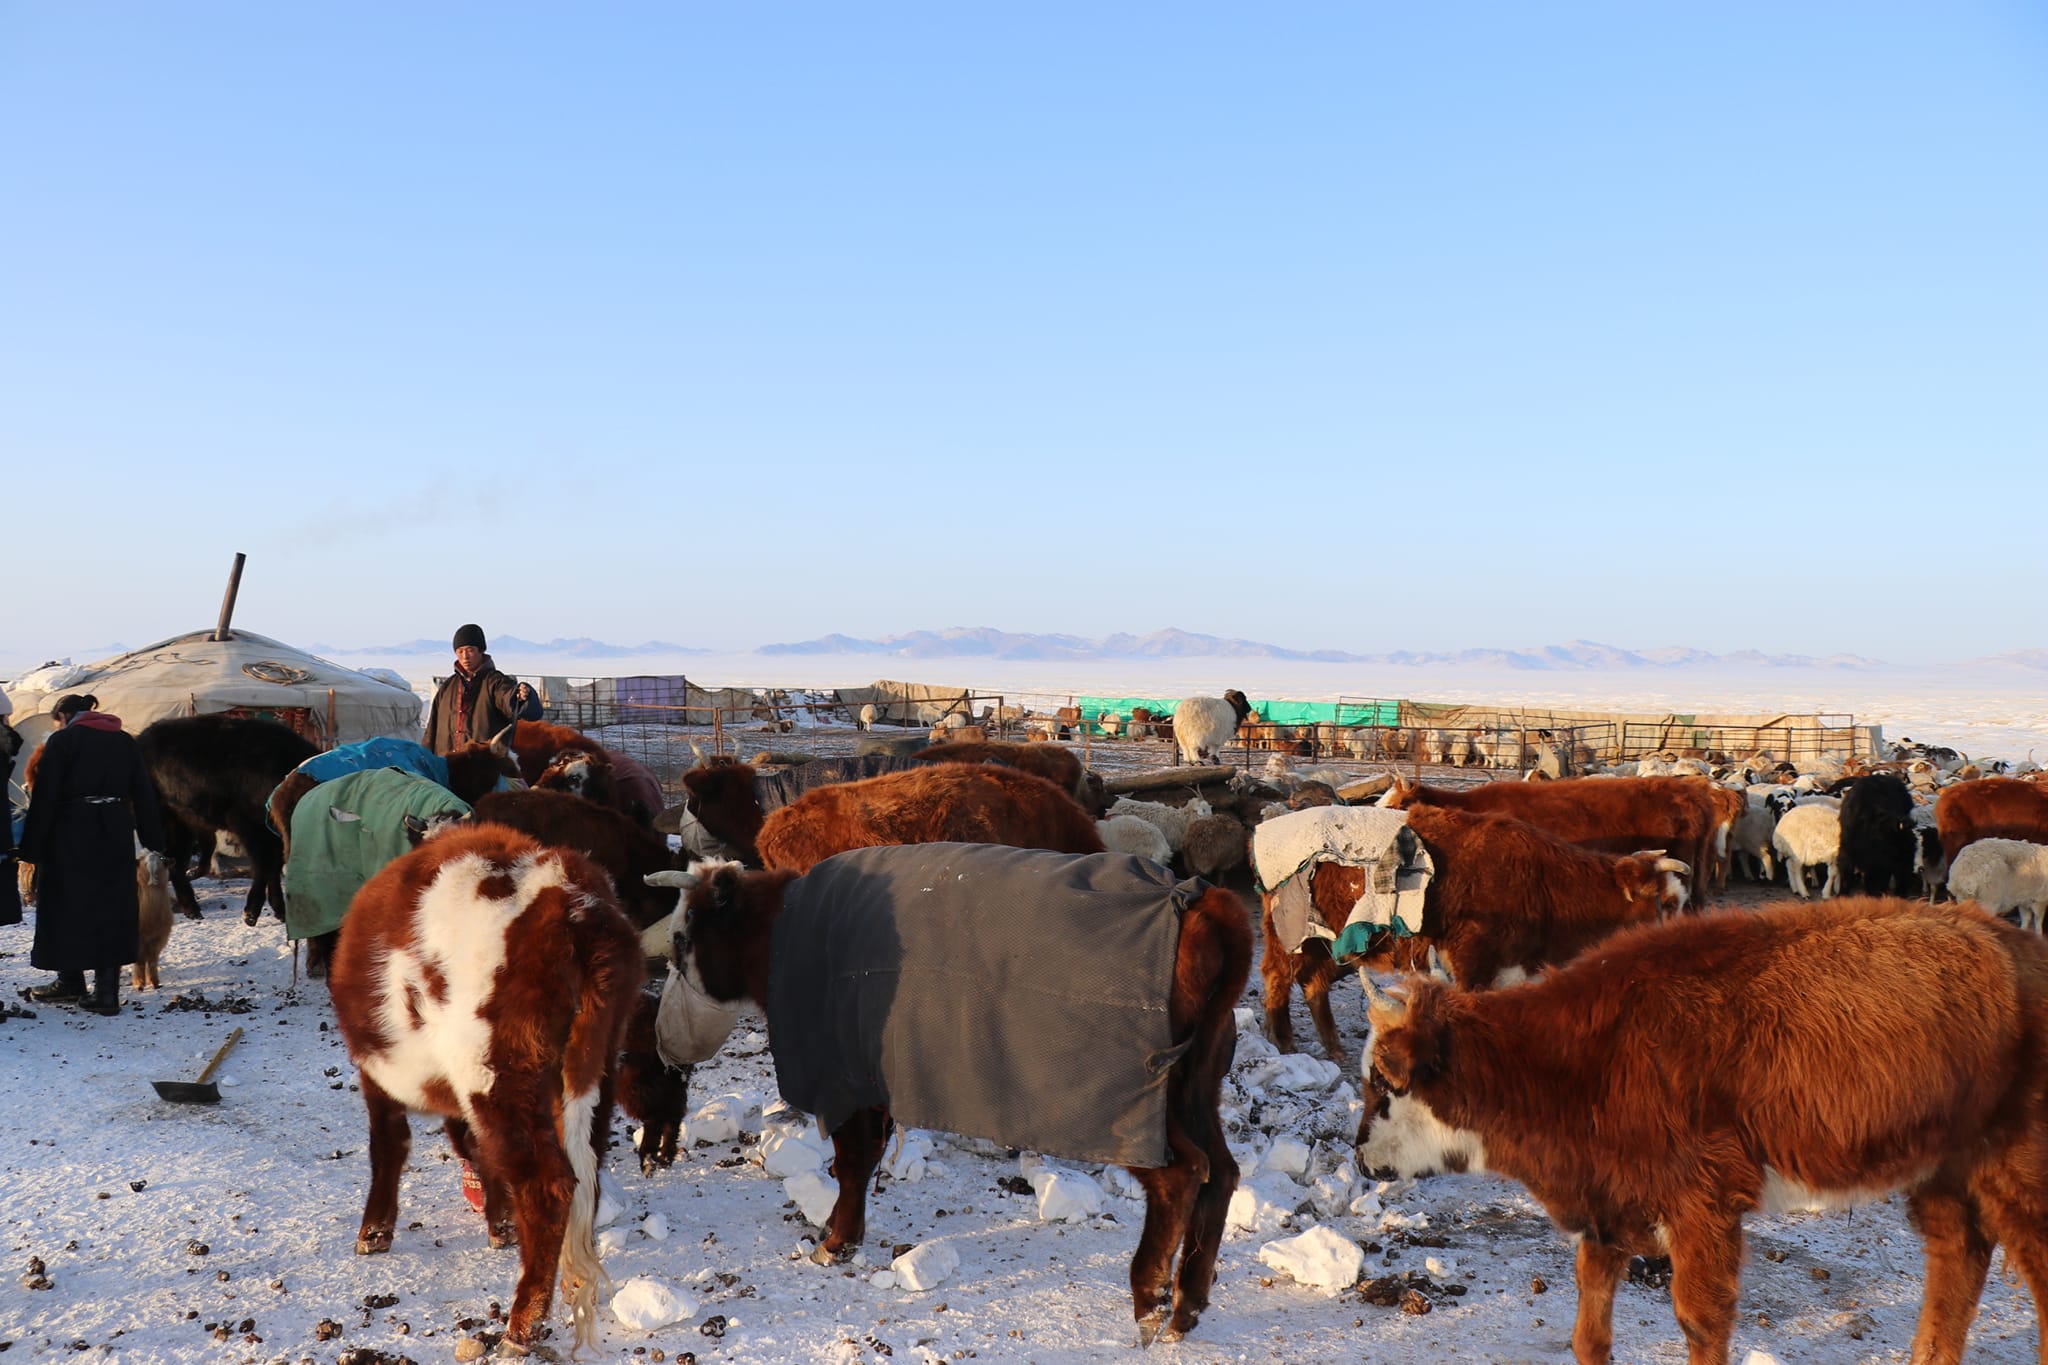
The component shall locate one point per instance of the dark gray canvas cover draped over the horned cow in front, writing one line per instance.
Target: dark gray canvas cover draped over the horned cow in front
(1000, 994)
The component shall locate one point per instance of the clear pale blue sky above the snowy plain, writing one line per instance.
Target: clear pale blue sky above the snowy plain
(1334, 326)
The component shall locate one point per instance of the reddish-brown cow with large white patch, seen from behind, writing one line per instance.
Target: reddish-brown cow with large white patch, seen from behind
(490, 981)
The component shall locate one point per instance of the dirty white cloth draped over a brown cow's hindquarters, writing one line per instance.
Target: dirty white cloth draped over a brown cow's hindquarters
(1355, 838)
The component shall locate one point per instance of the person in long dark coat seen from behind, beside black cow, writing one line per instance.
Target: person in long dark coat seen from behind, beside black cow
(93, 799)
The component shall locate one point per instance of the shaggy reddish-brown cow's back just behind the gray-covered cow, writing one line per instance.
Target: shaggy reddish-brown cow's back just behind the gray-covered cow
(953, 803)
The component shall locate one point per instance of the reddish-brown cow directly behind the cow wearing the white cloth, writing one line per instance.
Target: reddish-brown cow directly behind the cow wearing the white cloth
(1617, 816)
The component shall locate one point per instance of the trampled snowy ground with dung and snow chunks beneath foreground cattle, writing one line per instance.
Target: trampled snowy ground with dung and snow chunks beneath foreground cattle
(226, 1233)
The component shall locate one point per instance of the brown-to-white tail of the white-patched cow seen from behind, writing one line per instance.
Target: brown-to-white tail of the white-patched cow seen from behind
(611, 989)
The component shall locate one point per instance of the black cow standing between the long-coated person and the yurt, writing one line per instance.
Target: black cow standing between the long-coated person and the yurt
(212, 775)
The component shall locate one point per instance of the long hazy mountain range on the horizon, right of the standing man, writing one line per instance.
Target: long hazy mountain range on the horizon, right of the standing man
(1578, 656)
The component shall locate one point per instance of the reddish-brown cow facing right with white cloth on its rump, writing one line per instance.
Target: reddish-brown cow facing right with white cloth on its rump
(1504, 897)
